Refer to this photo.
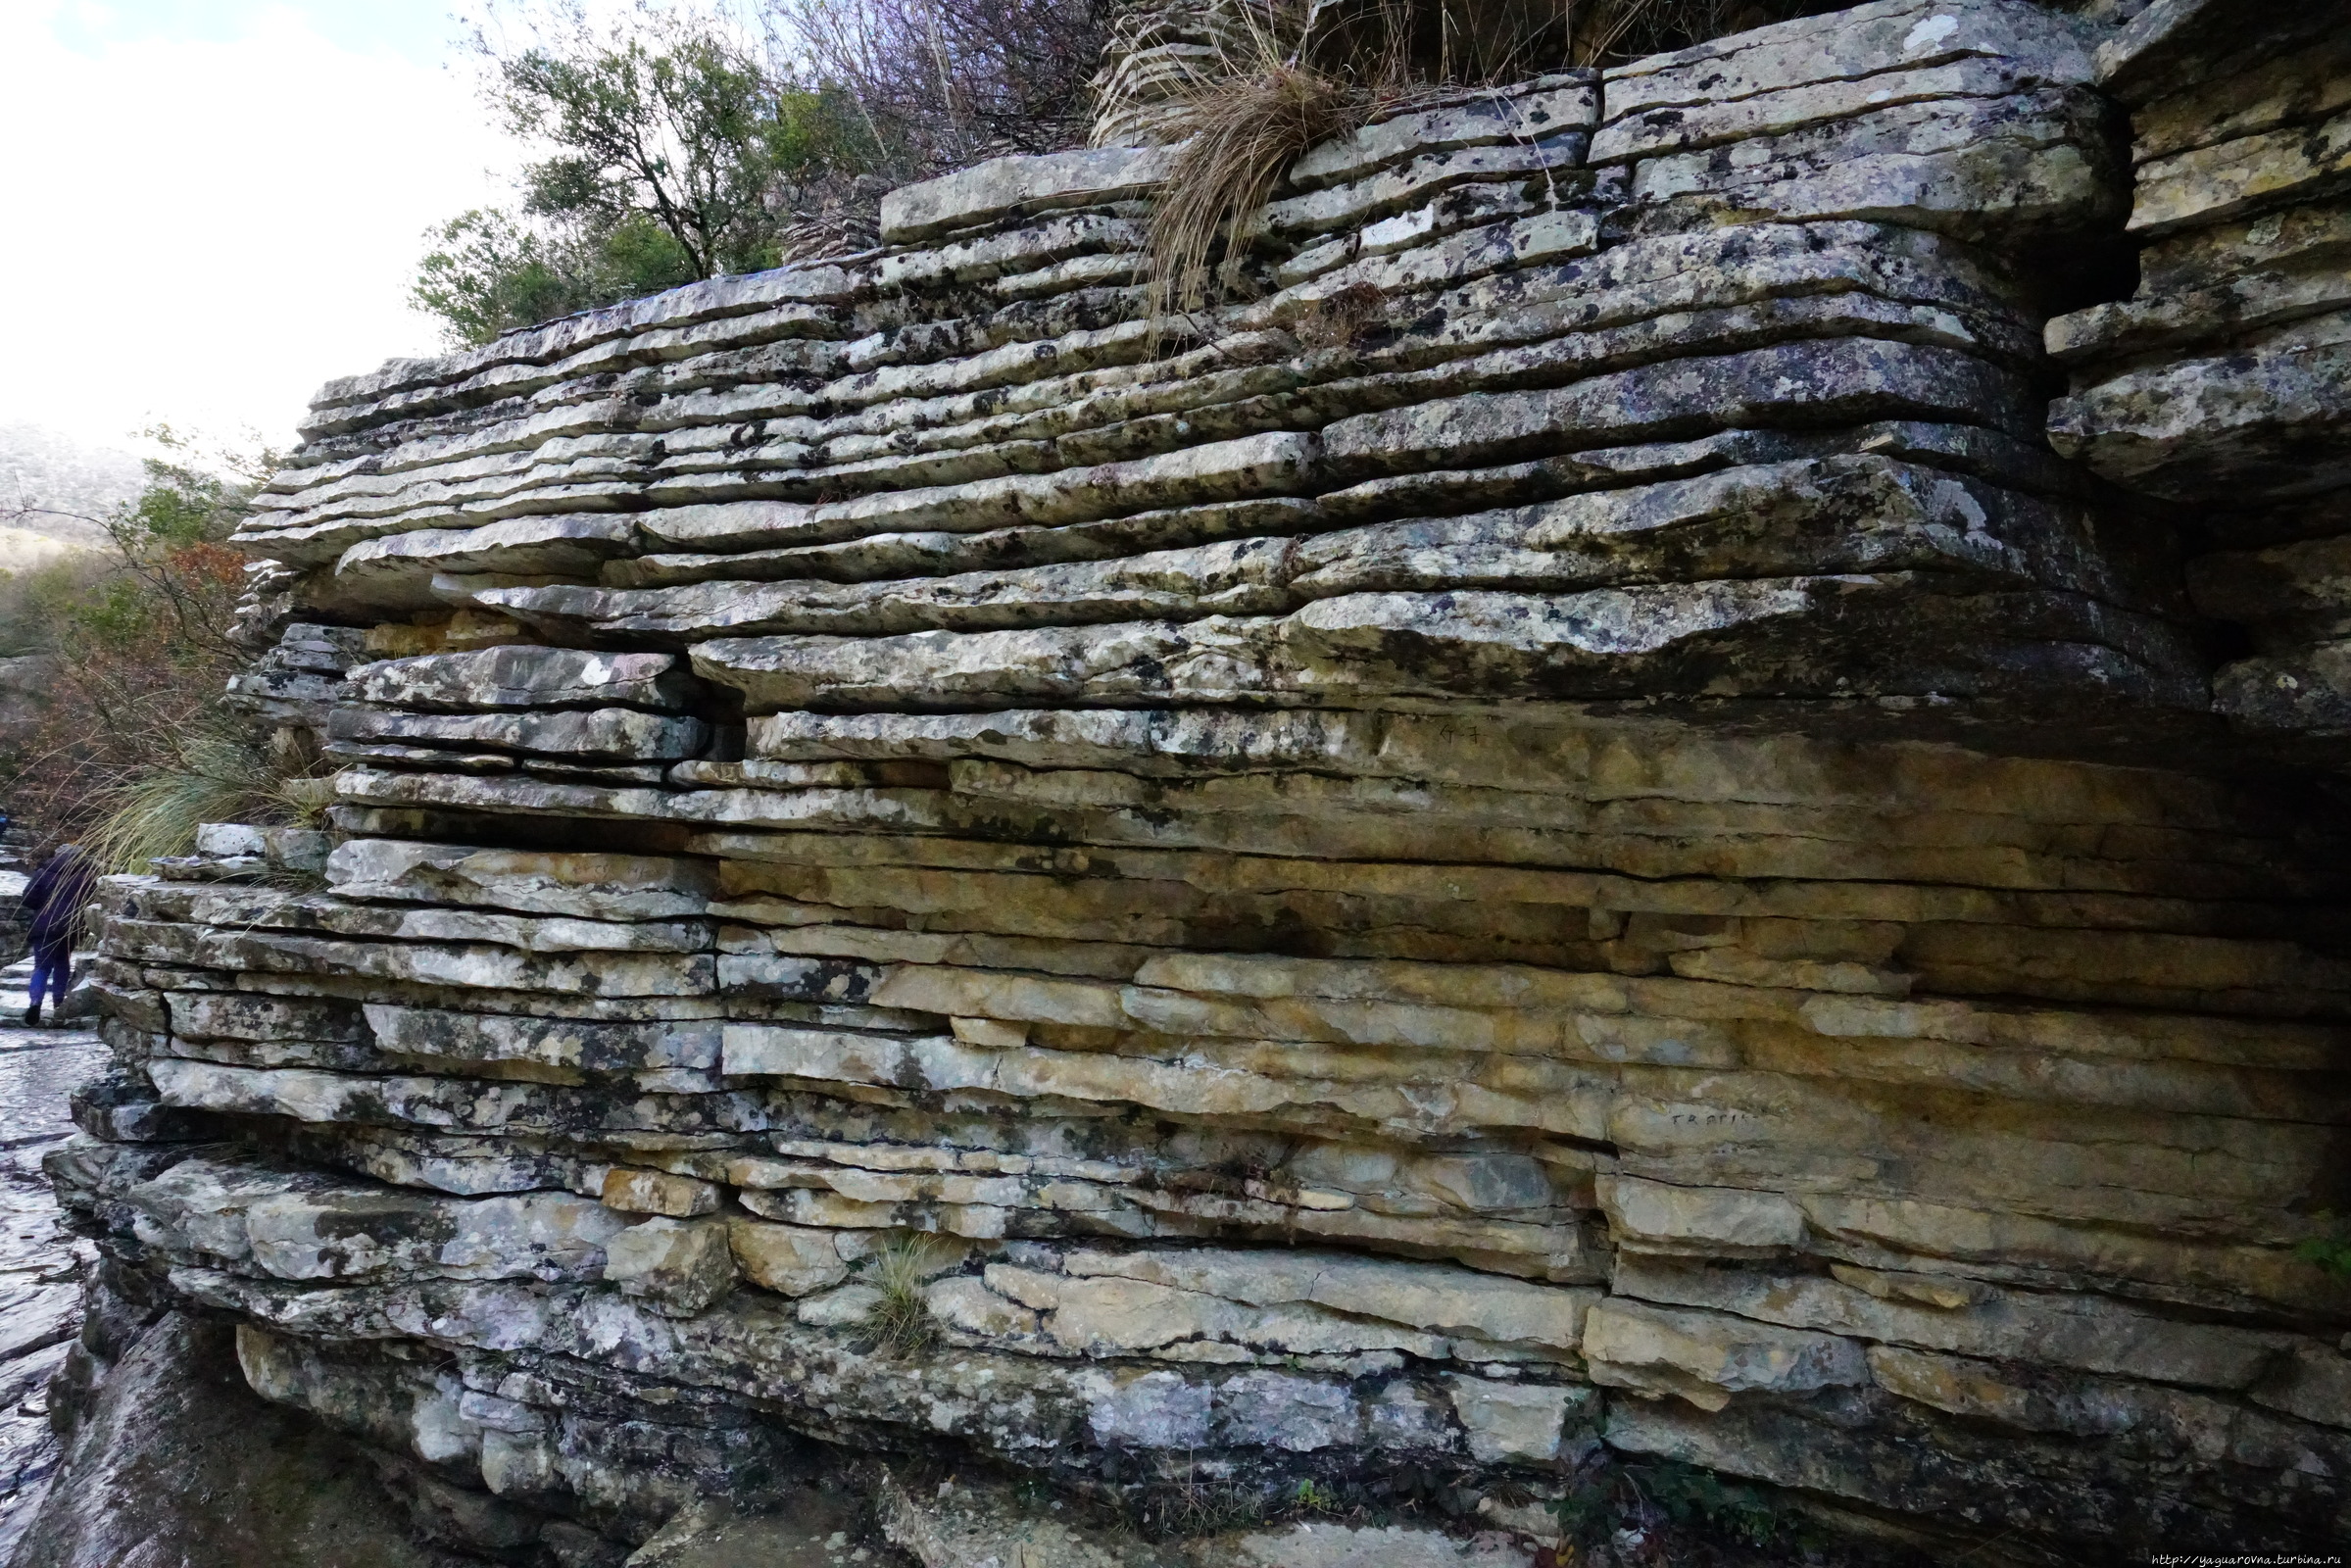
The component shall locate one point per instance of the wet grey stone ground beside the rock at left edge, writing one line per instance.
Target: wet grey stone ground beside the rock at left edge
(41, 1264)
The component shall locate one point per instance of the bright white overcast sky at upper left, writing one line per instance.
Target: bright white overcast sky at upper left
(215, 206)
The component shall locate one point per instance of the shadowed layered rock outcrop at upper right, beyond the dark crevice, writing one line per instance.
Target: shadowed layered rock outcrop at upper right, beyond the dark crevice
(2225, 384)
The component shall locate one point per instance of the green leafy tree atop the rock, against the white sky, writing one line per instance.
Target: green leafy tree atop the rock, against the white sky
(671, 154)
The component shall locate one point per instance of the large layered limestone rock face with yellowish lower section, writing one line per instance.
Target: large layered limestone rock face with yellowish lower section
(1565, 833)
